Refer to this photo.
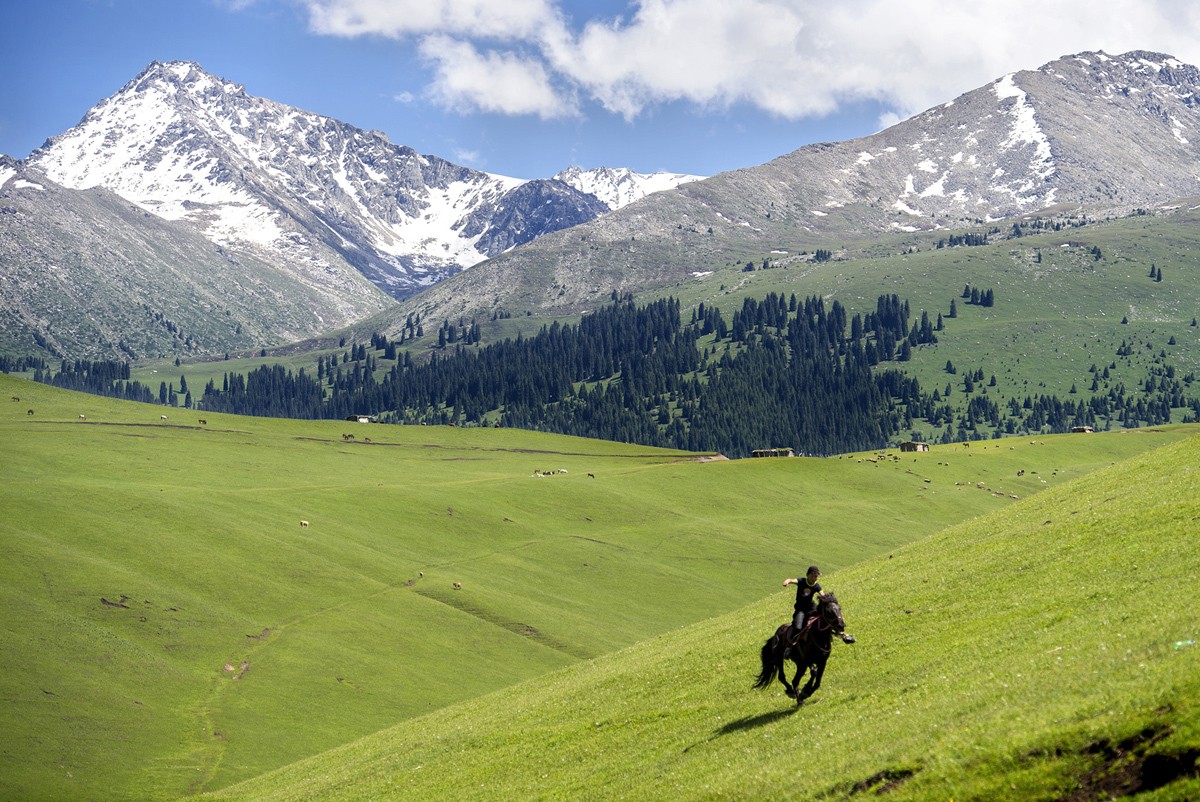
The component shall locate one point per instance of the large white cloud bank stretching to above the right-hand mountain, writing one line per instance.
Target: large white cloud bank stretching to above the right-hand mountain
(791, 58)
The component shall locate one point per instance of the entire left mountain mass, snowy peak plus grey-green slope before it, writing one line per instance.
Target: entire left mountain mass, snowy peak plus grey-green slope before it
(185, 217)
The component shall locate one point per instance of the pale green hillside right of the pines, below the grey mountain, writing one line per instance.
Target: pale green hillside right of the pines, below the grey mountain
(1059, 310)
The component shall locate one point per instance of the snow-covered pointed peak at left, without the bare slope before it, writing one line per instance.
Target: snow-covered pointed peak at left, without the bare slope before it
(319, 194)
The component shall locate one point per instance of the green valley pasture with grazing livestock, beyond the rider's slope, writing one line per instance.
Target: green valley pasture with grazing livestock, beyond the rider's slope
(169, 627)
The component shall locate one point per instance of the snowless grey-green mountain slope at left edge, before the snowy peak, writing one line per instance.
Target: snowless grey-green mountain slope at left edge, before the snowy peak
(86, 273)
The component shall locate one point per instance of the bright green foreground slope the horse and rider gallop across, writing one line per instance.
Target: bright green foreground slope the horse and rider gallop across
(1042, 653)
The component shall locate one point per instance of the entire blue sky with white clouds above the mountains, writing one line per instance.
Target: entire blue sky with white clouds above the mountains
(526, 88)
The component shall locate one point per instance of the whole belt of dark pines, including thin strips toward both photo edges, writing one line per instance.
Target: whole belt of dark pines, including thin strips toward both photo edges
(782, 373)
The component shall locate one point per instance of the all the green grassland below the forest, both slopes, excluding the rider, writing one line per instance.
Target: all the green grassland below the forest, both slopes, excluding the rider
(171, 629)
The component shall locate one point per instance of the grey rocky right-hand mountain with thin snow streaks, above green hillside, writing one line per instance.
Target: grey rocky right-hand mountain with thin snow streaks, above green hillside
(1088, 133)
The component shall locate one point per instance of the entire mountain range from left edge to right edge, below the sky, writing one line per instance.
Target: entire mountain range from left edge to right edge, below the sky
(289, 214)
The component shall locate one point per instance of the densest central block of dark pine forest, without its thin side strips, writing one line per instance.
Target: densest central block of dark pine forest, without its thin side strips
(782, 373)
